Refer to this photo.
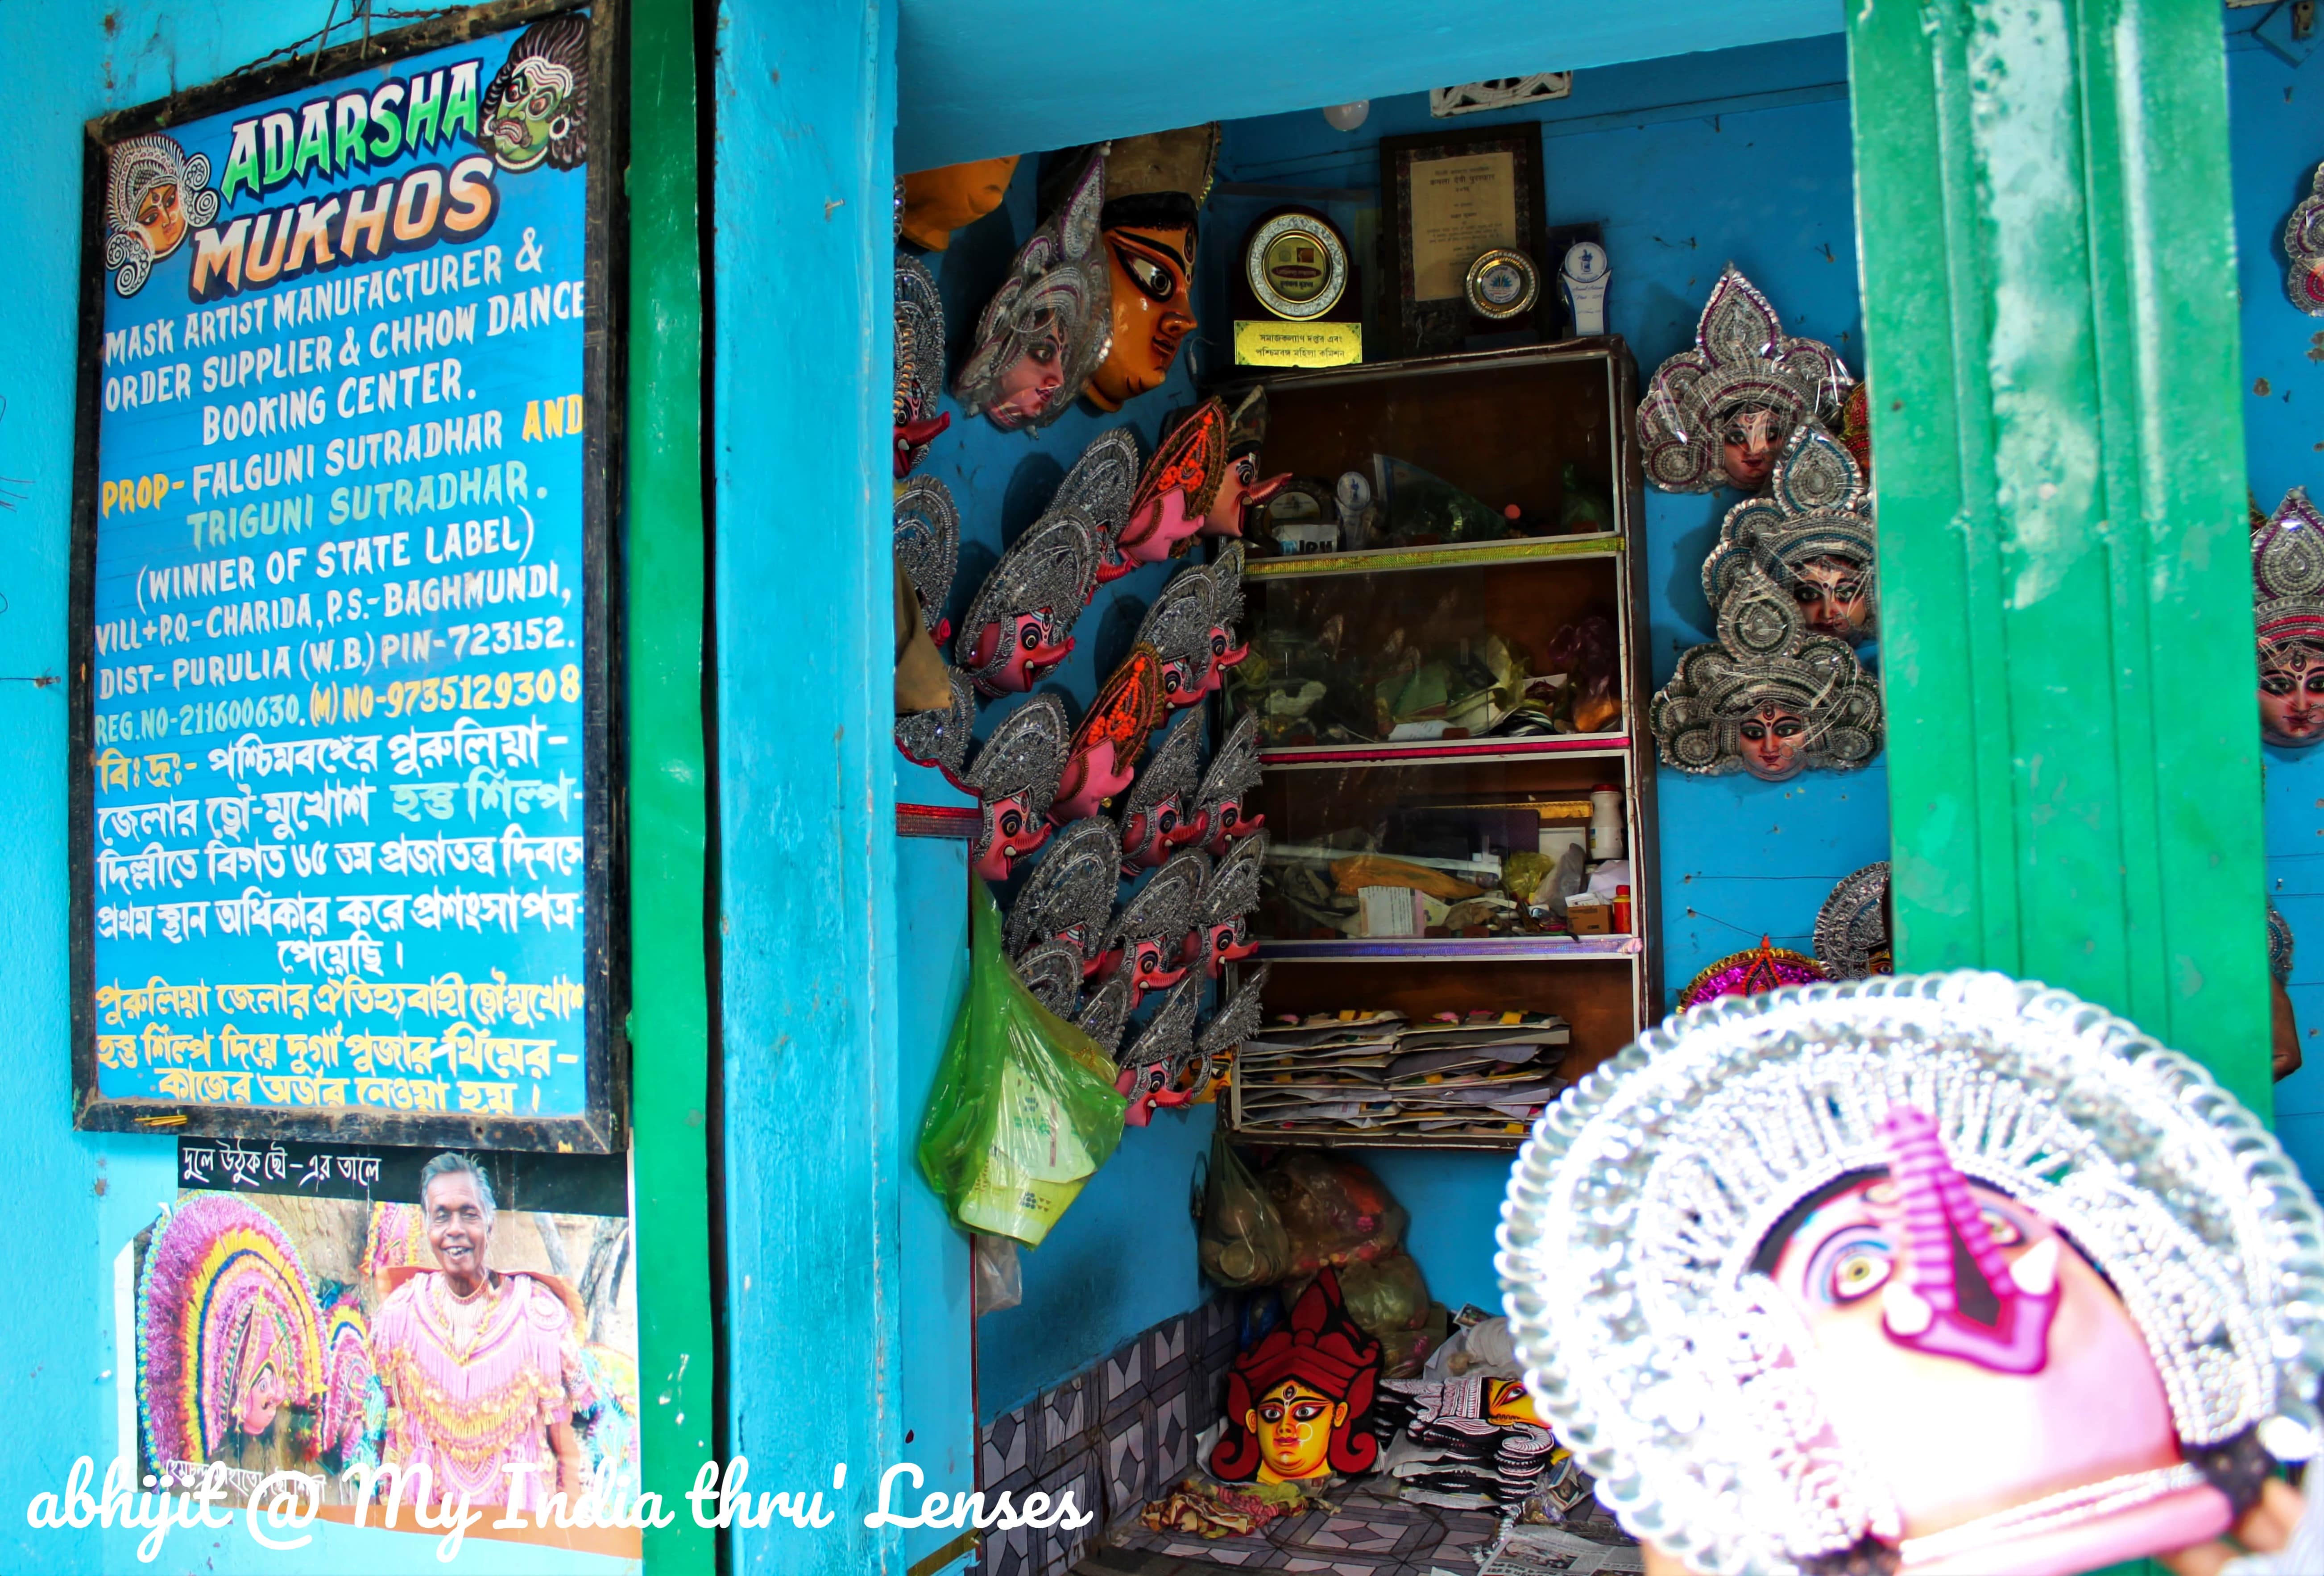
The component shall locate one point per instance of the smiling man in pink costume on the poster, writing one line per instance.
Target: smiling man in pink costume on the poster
(482, 1368)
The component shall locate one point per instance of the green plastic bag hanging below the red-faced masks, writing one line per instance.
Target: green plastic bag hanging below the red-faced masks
(1024, 1110)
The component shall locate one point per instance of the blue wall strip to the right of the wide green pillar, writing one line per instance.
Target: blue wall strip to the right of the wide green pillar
(2276, 138)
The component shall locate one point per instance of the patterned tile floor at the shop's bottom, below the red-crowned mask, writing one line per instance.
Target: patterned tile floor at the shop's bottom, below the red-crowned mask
(1365, 1535)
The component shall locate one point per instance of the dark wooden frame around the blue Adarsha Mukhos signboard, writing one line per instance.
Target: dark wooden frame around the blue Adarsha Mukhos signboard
(601, 1124)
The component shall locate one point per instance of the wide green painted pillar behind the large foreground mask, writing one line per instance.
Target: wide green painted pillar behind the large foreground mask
(2058, 450)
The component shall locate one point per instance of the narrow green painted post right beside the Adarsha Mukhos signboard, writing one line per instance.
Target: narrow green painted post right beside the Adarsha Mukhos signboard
(666, 791)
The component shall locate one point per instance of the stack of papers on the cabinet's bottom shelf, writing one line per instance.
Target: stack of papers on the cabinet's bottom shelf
(1479, 1075)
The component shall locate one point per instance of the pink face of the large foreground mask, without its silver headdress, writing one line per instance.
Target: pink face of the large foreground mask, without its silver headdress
(1974, 1363)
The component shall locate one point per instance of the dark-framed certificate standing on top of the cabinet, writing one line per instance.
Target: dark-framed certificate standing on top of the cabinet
(1447, 201)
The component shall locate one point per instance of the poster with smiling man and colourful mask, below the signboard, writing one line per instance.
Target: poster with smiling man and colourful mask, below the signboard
(322, 1308)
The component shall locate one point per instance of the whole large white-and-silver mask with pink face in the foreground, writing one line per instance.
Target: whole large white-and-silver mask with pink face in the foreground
(1916, 1275)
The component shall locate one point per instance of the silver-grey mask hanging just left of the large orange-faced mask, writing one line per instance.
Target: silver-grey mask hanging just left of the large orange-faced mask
(1049, 324)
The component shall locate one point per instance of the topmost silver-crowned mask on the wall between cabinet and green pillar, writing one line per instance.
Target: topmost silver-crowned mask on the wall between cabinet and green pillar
(1721, 413)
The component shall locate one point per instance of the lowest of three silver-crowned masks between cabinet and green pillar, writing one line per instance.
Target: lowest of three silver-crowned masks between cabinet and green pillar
(1767, 699)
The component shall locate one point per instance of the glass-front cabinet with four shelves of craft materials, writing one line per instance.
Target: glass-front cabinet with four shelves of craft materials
(1447, 680)
